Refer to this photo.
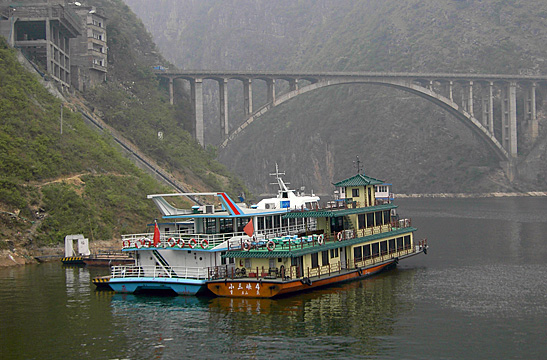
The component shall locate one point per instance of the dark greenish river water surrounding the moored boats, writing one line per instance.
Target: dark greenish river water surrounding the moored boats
(480, 293)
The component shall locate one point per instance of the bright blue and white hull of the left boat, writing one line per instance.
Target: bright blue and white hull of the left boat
(179, 286)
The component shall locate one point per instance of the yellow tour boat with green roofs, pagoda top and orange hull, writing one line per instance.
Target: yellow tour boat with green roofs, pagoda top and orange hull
(350, 239)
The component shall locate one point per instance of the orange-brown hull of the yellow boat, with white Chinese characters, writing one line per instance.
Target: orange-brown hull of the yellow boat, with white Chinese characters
(264, 288)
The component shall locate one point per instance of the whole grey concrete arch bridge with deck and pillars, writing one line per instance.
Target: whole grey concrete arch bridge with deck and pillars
(469, 97)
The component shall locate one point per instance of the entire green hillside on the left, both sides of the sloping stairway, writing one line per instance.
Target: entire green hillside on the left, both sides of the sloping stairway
(54, 184)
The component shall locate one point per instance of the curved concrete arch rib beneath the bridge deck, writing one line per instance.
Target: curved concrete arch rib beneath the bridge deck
(406, 85)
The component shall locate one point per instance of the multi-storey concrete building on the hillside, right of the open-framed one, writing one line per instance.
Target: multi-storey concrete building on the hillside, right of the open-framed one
(88, 51)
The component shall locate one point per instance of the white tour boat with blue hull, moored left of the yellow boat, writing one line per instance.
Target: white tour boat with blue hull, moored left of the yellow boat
(186, 248)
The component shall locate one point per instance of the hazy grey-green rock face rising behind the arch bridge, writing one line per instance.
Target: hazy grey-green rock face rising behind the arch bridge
(399, 137)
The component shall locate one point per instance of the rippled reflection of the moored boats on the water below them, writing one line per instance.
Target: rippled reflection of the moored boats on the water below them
(347, 319)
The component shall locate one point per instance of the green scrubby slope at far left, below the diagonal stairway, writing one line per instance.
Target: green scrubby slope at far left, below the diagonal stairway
(54, 184)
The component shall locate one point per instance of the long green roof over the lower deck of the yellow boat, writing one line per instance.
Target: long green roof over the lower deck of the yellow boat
(312, 249)
